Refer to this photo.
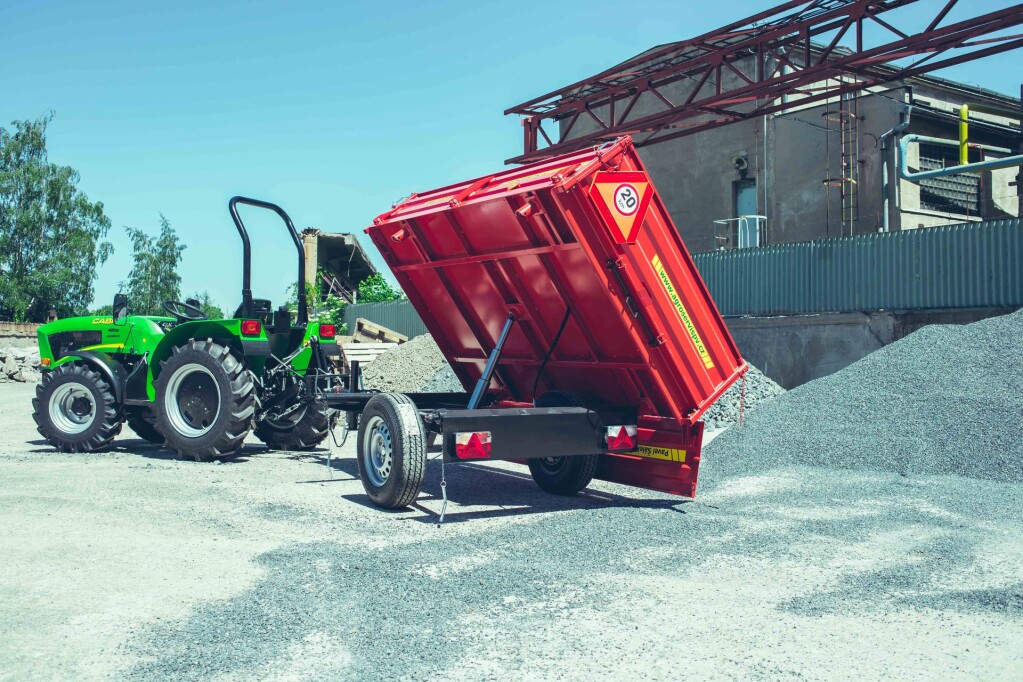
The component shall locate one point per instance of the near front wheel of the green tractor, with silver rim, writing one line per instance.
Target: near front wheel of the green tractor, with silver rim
(75, 410)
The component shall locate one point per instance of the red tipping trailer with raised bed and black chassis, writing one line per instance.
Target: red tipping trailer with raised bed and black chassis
(570, 281)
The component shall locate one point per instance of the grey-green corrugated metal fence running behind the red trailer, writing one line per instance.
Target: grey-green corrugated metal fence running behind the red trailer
(976, 265)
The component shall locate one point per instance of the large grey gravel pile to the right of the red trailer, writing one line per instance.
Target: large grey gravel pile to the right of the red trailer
(946, 400)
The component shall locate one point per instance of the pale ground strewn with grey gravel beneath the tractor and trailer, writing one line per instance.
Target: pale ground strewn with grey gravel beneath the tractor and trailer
(132, 565)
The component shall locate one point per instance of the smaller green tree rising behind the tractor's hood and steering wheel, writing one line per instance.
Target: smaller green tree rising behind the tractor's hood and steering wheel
(154, 277)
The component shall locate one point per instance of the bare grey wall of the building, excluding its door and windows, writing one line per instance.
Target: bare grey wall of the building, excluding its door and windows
(791, 156)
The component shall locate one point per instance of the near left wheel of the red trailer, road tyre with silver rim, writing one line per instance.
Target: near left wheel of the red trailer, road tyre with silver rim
(392, 451)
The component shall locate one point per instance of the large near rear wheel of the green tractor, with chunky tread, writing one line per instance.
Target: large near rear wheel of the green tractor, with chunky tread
(206, 401)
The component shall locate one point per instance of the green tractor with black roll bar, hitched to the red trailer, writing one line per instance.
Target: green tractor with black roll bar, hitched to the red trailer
(196, 385)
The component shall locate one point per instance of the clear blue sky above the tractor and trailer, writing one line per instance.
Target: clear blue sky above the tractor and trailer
(333, 110)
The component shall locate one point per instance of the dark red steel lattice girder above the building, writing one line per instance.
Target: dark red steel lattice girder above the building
(737, 42)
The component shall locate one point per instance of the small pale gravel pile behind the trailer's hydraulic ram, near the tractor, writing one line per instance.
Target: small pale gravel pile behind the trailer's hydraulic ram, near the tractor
(410, 368)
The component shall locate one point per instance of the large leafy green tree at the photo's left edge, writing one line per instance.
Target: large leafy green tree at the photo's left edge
(52, 236)
